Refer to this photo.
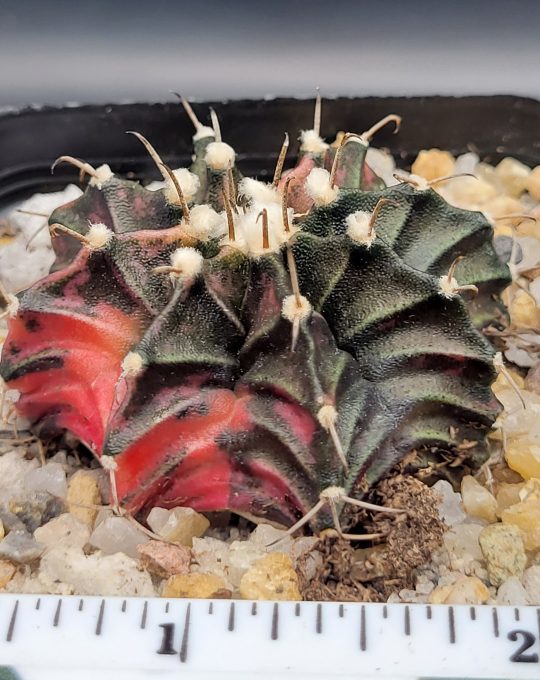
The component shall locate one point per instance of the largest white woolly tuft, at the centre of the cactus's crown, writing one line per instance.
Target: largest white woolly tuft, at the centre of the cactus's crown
(249, 229)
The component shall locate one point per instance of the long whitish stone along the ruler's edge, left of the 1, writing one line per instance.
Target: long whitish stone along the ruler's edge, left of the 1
(97, 574)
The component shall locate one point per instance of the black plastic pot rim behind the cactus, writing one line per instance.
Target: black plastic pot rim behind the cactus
(31, 139)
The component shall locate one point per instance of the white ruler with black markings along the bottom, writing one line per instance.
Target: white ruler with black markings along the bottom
(94, 638)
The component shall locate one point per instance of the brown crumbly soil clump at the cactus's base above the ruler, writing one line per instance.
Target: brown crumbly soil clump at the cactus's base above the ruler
(353, 573)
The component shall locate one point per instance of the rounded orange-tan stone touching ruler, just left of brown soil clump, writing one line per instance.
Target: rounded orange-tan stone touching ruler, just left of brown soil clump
(270, 578)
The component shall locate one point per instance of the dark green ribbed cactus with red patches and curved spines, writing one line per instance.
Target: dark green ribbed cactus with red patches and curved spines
(271, 349)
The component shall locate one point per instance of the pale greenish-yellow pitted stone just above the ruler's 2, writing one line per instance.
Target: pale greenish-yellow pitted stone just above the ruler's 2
(504, 552)
